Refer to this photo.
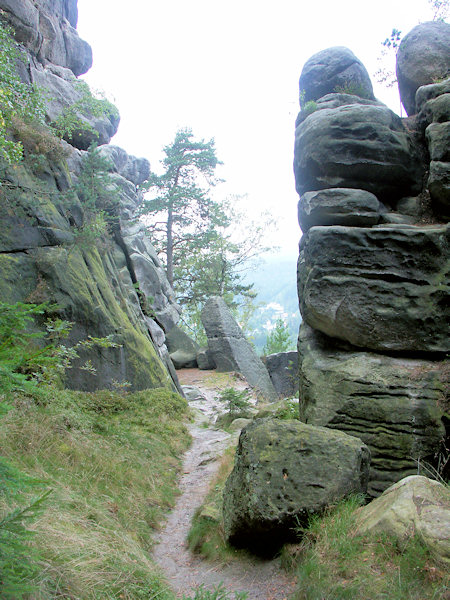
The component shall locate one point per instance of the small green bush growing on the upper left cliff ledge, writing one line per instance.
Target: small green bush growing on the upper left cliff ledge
(71, 123)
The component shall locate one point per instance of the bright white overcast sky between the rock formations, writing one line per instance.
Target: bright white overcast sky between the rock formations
(230, 70)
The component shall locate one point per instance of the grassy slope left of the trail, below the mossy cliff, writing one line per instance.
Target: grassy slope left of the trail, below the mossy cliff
(112, 463)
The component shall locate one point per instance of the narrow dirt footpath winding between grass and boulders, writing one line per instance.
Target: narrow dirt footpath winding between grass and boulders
(261, 579)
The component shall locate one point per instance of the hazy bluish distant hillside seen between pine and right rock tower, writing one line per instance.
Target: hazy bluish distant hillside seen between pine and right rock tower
(275, 281)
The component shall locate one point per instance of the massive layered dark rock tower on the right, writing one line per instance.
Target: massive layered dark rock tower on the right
(373, 270)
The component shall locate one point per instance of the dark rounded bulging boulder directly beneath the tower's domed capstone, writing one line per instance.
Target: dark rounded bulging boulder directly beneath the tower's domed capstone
(356, 145)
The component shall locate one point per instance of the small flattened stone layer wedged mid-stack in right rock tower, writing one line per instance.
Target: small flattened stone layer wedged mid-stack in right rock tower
(339, 206)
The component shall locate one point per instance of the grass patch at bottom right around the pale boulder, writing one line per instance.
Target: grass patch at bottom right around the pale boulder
(333, 563)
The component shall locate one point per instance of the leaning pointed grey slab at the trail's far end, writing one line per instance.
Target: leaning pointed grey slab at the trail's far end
(229, 349)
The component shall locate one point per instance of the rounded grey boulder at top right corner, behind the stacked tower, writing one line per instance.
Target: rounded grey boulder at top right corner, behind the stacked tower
(422, 58)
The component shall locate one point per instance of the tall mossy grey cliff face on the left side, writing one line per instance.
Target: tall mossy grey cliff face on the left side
(114, 287)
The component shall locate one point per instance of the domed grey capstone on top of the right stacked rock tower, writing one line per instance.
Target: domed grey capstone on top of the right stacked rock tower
(332, 70)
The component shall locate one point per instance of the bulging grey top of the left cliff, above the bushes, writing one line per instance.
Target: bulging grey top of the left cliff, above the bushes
(53, 57)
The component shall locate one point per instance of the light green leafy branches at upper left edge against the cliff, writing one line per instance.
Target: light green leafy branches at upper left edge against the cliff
(17, 99)
